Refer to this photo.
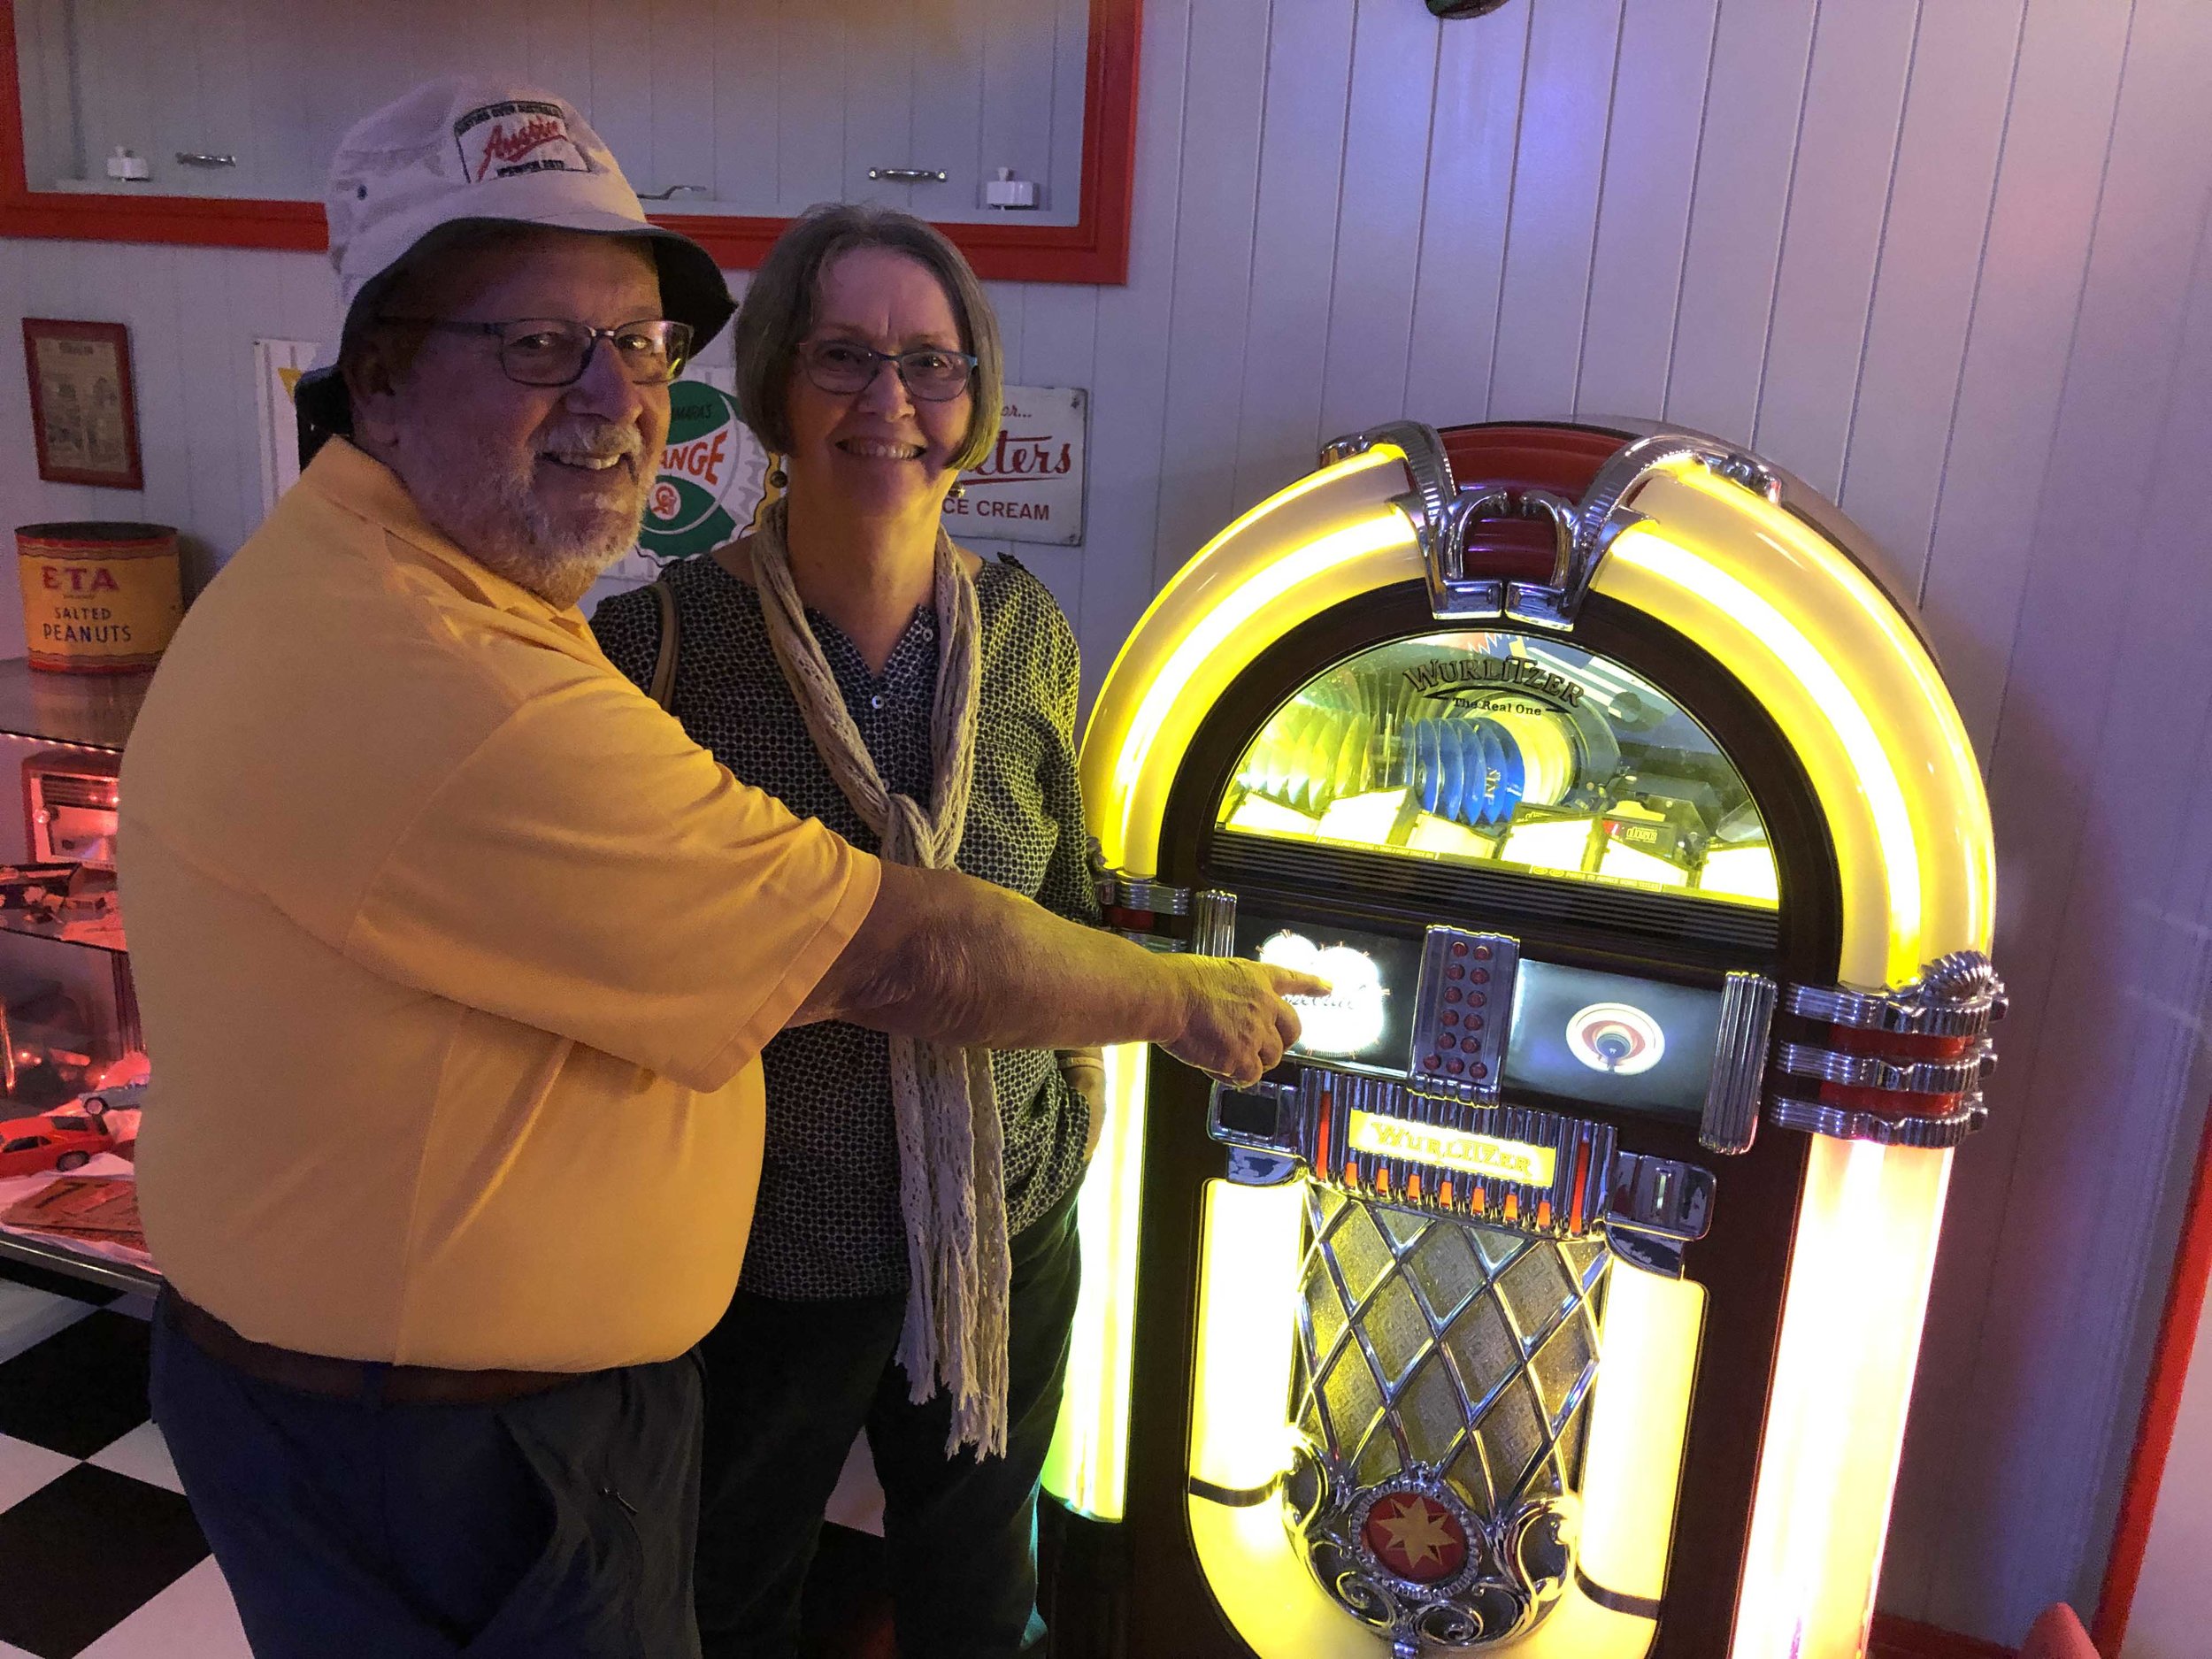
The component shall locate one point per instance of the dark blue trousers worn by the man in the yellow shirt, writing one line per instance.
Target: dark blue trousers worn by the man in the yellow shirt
(550, 1527)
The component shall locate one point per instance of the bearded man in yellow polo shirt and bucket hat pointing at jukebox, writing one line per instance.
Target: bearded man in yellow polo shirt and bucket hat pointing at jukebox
(457, 954)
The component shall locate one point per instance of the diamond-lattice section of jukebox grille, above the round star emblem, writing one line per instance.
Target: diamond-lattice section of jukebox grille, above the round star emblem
(1430, 1344)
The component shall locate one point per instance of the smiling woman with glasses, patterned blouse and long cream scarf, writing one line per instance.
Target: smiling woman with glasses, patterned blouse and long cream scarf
(912, 1266)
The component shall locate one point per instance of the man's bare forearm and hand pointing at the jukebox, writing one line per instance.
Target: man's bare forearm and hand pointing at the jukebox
(954, 959)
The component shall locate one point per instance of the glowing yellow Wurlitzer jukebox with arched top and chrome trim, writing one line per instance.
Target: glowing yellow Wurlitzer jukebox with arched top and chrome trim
(1561, 1293)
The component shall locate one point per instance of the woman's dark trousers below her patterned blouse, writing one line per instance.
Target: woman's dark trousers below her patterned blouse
(791, 1384)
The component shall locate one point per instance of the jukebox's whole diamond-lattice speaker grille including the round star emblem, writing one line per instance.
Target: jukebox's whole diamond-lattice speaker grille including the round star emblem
(1443, 1390)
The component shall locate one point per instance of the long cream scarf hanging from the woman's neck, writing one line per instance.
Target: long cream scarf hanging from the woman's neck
(952, 1185)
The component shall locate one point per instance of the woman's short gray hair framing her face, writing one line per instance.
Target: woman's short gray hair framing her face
(778, 313)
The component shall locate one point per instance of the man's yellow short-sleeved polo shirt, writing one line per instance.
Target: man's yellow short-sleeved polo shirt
(455, 959)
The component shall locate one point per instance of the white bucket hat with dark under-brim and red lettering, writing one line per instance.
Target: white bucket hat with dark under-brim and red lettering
(466, 152)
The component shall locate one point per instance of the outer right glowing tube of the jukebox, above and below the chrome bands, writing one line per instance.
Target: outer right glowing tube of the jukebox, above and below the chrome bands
(1866, 711)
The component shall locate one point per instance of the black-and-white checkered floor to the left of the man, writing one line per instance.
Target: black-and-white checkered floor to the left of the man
(98, 1550)
